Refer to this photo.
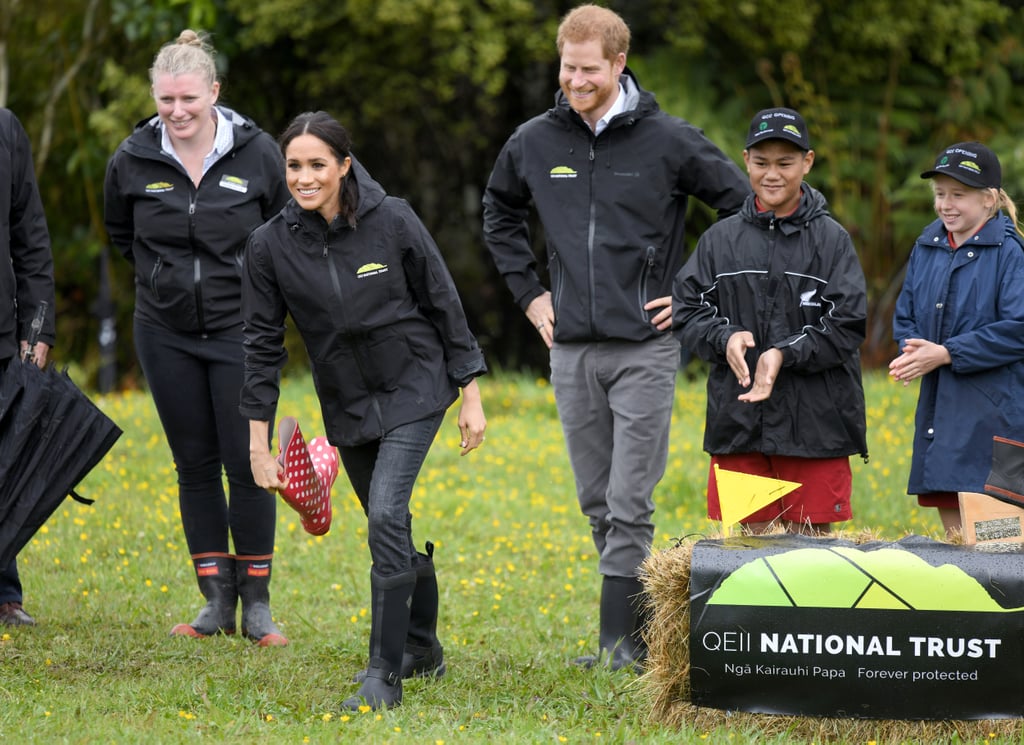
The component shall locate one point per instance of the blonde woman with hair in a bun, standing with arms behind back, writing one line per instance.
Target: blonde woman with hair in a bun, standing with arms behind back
(182, 196)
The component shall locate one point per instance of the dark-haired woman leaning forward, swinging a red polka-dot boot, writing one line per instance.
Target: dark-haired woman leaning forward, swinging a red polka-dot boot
(391, 348)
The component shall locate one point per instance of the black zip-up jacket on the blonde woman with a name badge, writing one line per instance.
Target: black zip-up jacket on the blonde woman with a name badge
(187, 243)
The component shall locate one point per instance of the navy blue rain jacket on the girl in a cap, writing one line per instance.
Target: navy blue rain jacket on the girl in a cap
(971, 301)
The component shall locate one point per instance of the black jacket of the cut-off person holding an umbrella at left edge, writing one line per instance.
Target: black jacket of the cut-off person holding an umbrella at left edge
(26, 260)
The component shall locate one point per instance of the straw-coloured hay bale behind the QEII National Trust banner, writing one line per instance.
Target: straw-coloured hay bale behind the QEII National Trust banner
(666, 576)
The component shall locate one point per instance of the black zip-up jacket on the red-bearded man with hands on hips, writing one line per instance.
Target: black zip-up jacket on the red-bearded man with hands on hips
(612, 207)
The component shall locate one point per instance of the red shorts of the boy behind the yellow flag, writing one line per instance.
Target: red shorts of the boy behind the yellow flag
(823, 498)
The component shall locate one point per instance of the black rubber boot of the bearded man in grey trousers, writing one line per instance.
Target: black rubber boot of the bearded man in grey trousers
(624, 617)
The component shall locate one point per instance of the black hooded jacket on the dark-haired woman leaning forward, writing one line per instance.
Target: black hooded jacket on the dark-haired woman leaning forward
(376, 308)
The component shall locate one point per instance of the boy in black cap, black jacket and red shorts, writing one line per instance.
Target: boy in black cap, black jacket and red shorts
(775, 299)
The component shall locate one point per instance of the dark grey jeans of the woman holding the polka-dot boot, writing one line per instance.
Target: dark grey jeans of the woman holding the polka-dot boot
(383, 474)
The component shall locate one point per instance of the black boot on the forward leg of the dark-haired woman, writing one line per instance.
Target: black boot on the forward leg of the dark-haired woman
(391, 601)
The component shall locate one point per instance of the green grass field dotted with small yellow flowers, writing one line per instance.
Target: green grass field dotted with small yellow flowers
(518, 576)
